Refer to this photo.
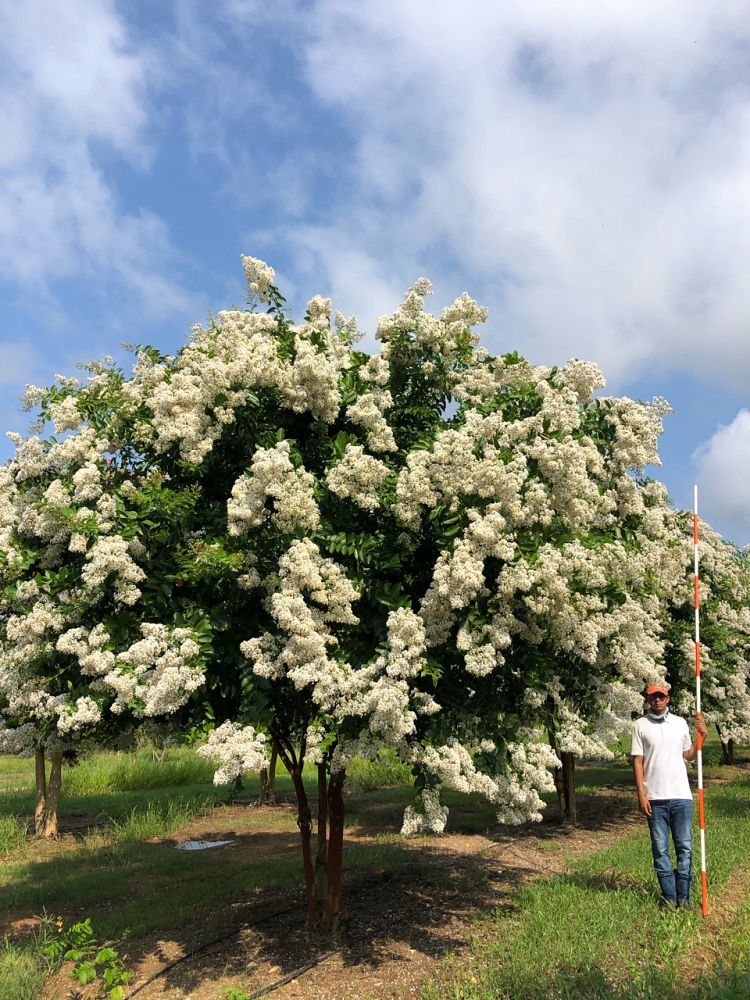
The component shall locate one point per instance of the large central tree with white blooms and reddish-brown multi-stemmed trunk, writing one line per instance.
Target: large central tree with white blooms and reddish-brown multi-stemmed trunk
(429, 549)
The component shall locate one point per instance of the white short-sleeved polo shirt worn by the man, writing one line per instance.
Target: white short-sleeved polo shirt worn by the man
(661, 744)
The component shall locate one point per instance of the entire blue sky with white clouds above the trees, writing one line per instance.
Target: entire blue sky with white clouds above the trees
(582, 169)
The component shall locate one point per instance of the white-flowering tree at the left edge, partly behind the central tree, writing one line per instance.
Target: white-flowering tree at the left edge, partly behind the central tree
(90, 634)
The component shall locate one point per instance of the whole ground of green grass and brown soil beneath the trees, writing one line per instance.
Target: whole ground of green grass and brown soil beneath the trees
(481, 912)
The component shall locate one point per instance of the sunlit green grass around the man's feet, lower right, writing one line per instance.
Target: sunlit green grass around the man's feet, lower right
(599, 932)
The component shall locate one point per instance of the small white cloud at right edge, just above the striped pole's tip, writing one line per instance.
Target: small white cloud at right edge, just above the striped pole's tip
(723, 472)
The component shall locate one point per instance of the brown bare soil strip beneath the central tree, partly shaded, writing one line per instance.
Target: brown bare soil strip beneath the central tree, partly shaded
(401, 922)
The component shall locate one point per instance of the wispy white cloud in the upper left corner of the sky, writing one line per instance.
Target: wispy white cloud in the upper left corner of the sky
(74, 85)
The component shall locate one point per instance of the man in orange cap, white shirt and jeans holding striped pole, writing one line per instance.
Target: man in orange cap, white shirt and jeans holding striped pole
(661, 744)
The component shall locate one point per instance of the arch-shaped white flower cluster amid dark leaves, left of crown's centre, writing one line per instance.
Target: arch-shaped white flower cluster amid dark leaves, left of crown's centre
(273, 476)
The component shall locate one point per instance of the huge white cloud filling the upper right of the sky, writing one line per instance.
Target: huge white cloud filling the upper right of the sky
(586, 168)
